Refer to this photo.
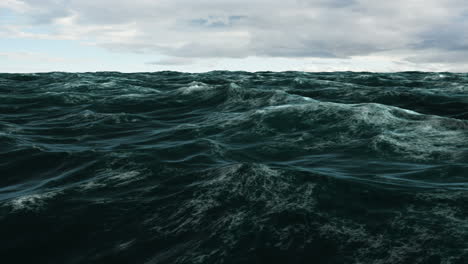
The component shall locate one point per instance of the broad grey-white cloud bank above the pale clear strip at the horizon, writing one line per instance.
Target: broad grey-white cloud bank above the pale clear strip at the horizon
(408, 31)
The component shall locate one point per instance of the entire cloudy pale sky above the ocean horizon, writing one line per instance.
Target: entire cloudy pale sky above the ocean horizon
(249, 35)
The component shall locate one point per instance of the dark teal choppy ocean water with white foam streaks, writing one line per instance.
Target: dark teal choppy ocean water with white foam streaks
(234, 167)
